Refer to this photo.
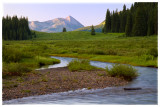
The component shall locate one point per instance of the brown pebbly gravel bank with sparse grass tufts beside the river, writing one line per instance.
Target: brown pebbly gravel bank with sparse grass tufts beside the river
(56, 80)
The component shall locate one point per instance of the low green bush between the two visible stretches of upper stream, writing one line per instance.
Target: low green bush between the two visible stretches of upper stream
(80, 65)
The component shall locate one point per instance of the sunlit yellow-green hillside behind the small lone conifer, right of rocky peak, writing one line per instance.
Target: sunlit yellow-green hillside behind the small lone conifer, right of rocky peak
(98, 28)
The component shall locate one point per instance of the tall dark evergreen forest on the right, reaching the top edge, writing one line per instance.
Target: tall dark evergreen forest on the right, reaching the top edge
(140, 20)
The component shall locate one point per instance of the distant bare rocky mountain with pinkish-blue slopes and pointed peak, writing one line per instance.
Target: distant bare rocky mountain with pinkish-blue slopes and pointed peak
(56, 25)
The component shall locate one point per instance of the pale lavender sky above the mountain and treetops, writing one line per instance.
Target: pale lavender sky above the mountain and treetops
(86, 13)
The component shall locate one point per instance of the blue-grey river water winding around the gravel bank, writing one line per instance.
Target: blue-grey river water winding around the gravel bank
(147, 80)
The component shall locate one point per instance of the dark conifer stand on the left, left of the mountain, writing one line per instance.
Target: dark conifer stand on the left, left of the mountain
(14, 28)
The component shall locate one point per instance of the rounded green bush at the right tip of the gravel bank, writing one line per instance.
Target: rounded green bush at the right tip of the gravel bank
(123, 71)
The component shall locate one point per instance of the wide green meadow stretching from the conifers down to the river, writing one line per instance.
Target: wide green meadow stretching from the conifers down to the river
(110, 47)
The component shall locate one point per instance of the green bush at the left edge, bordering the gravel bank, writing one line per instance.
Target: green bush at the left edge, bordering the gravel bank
(14, 69)
